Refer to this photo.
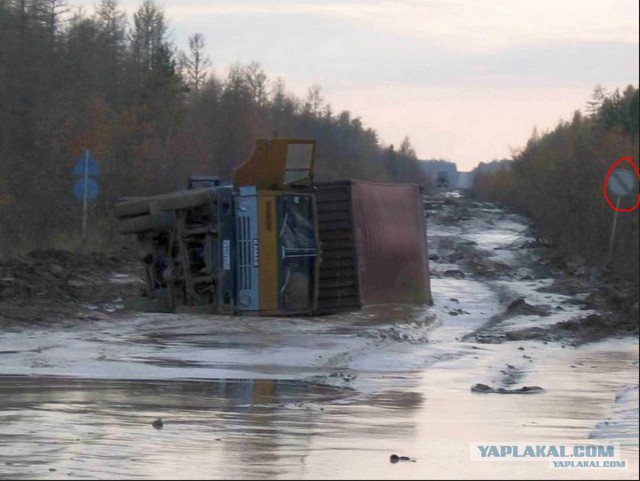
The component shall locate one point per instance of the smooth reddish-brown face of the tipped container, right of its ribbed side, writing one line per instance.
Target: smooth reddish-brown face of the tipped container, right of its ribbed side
(391, 243)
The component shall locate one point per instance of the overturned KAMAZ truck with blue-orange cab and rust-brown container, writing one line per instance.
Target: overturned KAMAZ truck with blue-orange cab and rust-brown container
(275, 242)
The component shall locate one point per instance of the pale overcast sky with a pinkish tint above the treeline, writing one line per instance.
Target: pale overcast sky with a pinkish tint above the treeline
(467, 81)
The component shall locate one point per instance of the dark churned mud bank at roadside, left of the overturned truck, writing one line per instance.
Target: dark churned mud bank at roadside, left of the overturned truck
(50, 285)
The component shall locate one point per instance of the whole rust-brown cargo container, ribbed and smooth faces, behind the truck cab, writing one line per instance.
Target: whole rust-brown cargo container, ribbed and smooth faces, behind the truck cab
(373, 239)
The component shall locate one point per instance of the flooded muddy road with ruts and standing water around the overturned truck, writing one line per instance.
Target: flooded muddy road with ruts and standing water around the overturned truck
(95, 391)
